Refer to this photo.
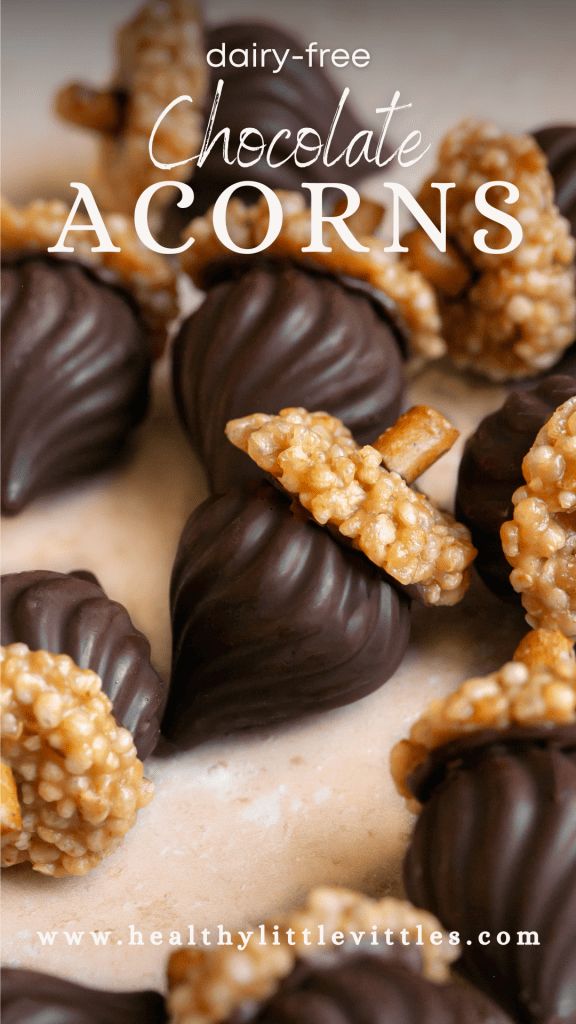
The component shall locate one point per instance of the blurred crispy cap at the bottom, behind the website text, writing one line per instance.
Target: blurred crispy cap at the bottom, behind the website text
(209, 986)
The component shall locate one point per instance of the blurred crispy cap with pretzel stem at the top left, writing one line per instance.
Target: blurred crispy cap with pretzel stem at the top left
(159, 57)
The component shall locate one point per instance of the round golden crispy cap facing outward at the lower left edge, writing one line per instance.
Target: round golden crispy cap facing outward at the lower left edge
(78, 782)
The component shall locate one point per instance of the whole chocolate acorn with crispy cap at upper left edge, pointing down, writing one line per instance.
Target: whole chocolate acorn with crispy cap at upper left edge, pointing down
(78, 343)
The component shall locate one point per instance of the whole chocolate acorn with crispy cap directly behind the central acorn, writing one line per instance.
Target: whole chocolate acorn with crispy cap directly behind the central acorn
(326, 331)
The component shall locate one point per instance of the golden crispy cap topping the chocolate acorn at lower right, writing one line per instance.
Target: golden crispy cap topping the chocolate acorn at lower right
(537, 689)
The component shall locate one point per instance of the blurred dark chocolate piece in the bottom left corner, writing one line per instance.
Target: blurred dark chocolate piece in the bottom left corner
(31, 998)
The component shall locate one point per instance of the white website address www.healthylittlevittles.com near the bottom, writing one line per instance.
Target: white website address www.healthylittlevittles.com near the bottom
(321, 937)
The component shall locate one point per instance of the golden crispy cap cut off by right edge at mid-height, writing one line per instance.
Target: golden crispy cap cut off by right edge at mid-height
(541, 541)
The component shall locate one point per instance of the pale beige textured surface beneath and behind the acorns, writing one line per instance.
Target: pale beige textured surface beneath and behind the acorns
(241, 830)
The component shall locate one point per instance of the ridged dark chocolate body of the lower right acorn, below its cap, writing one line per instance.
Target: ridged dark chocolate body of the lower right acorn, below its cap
(495, 850)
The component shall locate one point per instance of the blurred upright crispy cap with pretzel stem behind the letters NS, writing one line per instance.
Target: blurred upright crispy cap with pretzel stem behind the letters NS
(506, 316)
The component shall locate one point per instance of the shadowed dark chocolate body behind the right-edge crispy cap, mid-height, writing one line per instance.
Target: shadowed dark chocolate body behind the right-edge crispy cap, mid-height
(491, 472)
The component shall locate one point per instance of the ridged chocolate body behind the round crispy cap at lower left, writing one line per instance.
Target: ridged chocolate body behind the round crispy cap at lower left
(71, 615)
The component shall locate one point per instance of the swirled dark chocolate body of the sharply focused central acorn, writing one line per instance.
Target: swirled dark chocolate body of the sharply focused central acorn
(272, 620)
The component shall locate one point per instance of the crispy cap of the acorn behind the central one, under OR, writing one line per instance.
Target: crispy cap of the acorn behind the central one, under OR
(410, 294)
